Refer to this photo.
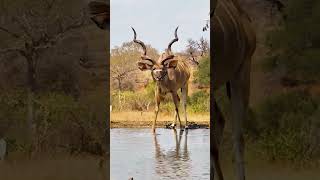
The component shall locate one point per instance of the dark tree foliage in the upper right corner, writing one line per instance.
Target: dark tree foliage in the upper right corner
(296, 44)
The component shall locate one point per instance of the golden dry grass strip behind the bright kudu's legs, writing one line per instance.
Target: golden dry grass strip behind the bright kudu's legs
(135, 119)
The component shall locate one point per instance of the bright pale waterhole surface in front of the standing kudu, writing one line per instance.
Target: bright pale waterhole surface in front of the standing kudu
(169, 154)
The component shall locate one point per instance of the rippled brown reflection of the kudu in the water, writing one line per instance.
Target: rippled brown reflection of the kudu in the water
(167, 163)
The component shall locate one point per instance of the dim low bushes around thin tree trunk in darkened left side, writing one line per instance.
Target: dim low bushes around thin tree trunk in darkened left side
(61, 123)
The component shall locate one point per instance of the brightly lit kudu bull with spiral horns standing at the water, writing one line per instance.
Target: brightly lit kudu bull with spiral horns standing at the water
(171, 74)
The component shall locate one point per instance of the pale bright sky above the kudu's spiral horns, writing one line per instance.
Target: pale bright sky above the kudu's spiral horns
(156, 20)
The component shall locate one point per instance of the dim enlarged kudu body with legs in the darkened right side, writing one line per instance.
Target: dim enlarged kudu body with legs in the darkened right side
(234, 43)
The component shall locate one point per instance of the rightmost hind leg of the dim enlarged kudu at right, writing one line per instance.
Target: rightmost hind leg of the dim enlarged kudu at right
(240, 87)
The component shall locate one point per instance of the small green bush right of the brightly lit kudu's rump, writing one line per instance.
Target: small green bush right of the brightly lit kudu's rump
(202, 75)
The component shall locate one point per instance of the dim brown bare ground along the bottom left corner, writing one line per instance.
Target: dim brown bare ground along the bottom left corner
(58, 167)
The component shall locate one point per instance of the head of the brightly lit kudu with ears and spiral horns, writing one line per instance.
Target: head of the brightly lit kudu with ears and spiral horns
(166, 62)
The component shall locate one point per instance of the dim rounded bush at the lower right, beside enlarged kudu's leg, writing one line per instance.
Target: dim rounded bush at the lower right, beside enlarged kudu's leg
(288, 126)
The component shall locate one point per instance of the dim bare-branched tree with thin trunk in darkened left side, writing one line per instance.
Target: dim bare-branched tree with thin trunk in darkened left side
(31, 27)
